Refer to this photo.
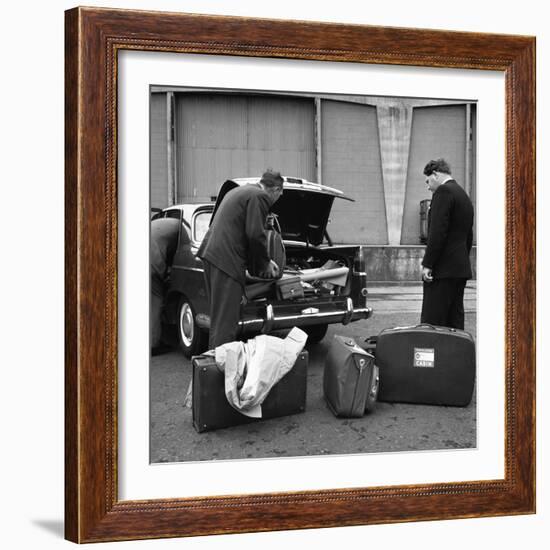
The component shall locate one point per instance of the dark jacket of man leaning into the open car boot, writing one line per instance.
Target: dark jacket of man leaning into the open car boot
(237, 232)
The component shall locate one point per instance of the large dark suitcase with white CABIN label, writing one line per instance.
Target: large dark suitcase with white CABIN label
(426, 364)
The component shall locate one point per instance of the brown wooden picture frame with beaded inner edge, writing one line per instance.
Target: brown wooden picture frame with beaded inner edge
(93, 511)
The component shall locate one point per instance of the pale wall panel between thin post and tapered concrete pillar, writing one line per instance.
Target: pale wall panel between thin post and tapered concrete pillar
(351, 162)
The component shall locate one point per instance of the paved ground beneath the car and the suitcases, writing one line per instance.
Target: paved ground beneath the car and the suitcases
(391, 427)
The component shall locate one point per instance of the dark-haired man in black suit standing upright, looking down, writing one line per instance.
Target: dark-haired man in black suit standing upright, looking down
(446, 264)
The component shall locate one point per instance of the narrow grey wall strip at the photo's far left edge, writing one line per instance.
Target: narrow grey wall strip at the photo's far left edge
(159, 158)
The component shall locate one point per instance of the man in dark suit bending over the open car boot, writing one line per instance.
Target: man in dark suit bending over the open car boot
(237, 234)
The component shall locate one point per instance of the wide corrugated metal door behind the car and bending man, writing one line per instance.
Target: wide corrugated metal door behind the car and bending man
(223, 136)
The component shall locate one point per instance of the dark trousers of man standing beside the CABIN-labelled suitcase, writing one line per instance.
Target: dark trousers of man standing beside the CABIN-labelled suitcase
(443, 303)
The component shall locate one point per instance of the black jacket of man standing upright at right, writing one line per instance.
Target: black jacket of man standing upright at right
(450, 232)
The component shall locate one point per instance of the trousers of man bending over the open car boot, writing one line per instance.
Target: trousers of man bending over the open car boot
(224, 298)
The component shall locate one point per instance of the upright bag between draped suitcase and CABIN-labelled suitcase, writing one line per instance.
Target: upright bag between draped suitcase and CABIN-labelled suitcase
(350, 378)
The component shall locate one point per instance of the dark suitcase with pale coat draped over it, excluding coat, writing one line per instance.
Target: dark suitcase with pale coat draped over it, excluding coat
(212, 411)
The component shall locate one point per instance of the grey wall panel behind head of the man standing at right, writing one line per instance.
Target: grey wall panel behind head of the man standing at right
(436, 132)
